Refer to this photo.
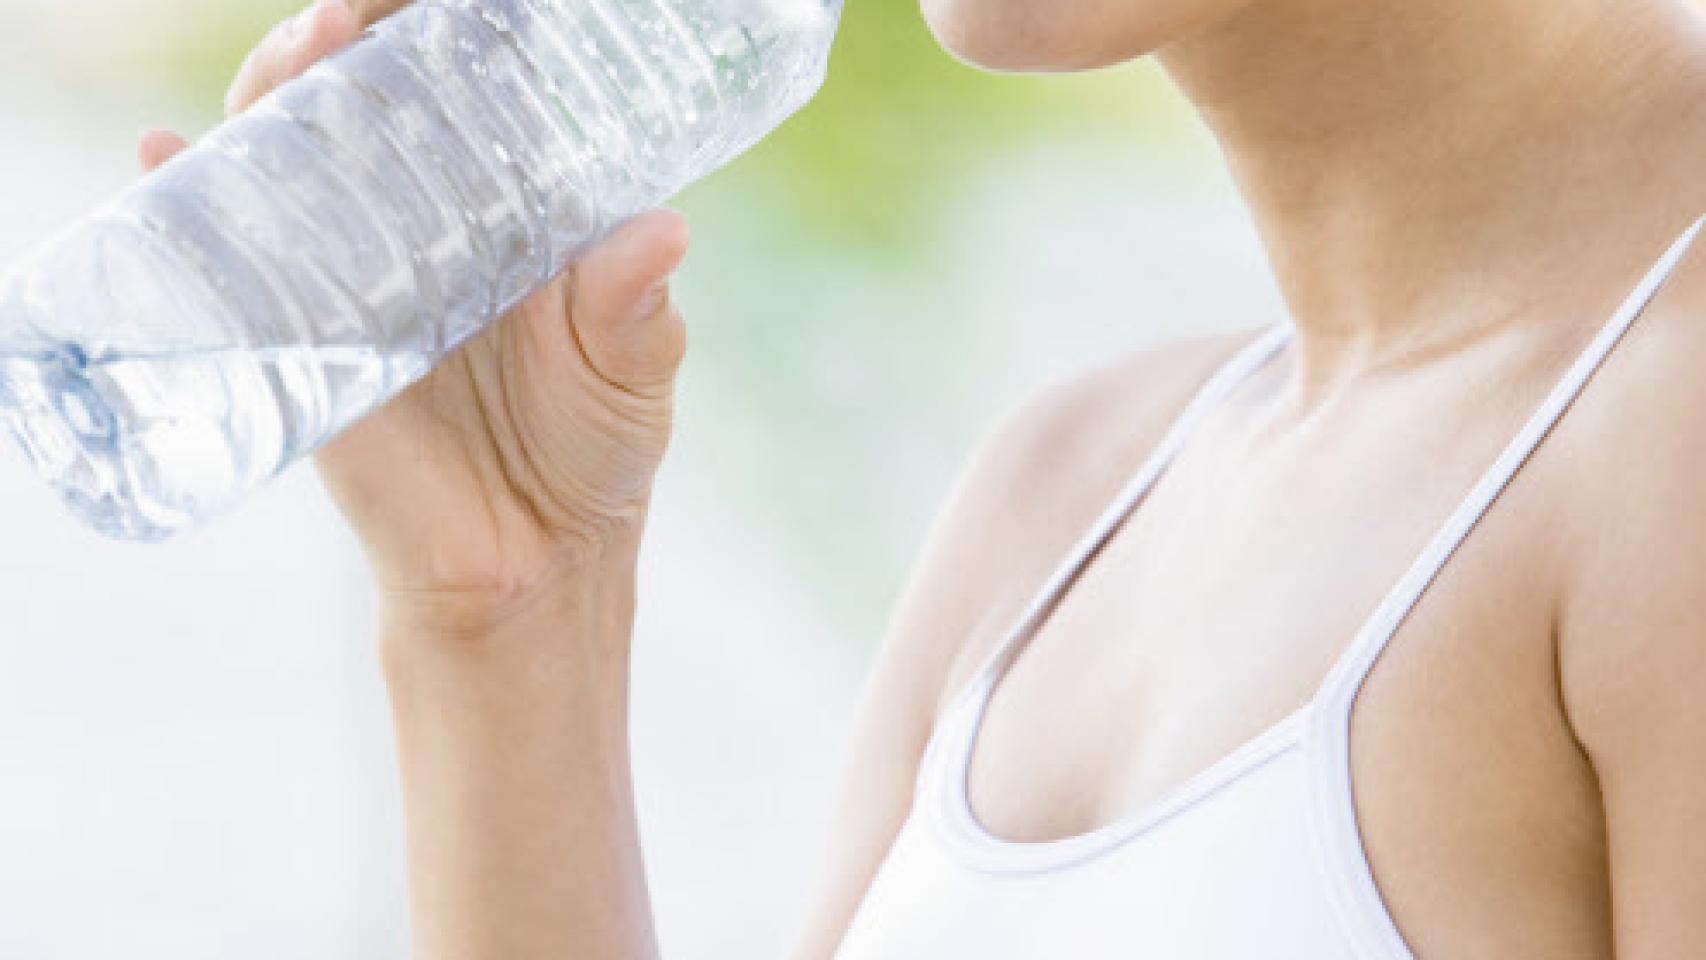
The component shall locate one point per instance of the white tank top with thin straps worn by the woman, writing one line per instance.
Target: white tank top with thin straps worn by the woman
(1256, 857)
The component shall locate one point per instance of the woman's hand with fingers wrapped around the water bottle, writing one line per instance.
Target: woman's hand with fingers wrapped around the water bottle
(528, 454)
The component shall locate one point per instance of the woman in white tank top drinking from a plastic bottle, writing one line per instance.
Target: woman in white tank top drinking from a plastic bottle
(1456, 195)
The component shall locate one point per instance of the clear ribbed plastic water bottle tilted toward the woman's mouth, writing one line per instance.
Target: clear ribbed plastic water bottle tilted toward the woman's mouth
(310, 260)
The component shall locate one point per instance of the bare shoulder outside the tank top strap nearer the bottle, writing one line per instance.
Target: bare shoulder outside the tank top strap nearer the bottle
(1033, 487)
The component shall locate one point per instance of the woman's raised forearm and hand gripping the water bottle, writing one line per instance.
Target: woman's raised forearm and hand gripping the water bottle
(501, 504)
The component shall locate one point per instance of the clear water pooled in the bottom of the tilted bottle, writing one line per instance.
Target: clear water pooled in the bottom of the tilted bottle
(144, 442)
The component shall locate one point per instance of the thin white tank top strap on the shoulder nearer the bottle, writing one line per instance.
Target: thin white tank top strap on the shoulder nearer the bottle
(1207, 398)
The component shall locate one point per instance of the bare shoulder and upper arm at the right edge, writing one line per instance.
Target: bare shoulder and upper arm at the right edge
(1632, 637)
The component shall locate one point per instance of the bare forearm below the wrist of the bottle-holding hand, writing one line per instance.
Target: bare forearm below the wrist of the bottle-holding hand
(516, 775)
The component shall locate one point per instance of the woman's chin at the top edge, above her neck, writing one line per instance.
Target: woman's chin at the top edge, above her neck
(1055, 37)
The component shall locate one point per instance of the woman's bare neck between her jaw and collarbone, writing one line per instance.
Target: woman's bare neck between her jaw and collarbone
(1425, 171)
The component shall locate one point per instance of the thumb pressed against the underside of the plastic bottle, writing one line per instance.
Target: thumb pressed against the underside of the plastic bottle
(620, 306)
